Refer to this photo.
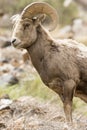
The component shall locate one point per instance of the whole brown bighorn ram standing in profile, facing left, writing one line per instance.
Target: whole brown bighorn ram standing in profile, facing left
(61, 64)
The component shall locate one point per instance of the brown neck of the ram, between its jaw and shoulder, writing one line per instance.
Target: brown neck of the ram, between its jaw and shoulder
(39, 48)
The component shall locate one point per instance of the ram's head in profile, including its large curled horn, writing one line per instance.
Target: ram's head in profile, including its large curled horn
(26, 24)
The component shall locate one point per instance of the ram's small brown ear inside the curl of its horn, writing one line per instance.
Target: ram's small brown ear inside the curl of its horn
(39, 19)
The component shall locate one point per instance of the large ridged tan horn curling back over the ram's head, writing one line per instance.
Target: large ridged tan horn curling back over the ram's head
(41, 8)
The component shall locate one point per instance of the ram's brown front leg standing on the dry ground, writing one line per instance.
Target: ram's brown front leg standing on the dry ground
(69, 89)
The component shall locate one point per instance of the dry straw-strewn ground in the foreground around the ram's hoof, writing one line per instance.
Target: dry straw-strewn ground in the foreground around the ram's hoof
(27, 113)
